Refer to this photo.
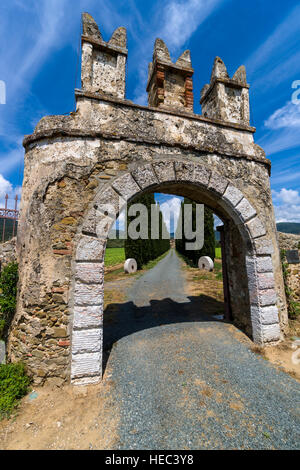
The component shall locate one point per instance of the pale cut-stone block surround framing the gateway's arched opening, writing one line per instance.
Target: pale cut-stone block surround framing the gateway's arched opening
(173, 176)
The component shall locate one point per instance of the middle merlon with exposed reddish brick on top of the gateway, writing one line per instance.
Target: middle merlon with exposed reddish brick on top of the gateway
(170, 85)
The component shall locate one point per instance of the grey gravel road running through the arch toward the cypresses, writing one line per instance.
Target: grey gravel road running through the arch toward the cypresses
(186, 381)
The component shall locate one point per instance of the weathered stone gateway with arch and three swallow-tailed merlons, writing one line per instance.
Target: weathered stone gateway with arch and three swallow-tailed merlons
(111, 149)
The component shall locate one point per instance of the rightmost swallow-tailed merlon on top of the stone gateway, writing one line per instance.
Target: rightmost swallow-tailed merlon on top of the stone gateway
(225, 98)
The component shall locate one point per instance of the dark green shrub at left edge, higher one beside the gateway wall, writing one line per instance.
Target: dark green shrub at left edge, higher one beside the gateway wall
(8, 289)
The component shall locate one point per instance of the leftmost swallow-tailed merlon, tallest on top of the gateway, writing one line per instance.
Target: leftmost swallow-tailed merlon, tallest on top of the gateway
(103, 64)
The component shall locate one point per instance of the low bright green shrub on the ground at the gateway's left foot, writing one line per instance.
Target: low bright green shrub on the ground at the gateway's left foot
(14, 385)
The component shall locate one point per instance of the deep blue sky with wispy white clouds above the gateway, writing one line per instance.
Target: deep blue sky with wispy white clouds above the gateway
(39, 54)
